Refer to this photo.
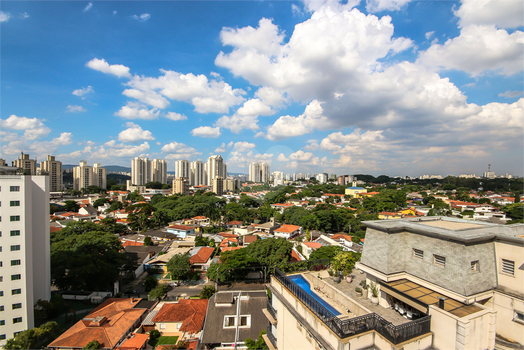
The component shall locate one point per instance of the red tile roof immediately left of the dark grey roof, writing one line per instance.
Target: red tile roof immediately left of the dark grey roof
(191, 312)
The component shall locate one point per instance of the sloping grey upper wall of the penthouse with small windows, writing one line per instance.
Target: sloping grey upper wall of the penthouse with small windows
(393, 253)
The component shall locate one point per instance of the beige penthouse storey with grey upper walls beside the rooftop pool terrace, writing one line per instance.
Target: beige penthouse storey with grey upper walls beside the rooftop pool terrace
(468, 276)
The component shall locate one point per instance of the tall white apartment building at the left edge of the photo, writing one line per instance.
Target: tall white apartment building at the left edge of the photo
(25, 260)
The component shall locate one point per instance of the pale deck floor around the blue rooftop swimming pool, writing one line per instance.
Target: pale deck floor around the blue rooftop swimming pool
(348, 289)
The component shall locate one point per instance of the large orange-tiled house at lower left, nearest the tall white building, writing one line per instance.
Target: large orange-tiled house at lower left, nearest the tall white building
(110, 323)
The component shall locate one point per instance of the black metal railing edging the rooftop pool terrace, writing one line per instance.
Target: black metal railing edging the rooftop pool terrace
(352, 326)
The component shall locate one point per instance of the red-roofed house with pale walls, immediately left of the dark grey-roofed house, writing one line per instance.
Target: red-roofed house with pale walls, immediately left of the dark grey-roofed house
(184, 318)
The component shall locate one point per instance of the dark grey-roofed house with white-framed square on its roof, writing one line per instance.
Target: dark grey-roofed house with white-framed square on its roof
(232, 317)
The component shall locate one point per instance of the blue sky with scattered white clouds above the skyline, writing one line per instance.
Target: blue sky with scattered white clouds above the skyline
(393, 87)
